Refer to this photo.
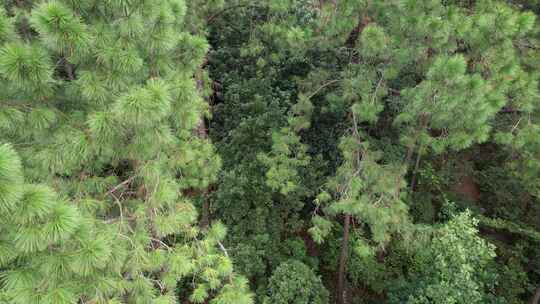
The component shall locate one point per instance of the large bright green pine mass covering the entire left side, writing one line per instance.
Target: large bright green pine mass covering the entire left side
(100, 99)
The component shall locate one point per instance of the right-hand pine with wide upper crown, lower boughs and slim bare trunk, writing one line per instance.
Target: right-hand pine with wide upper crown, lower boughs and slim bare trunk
(452, 104)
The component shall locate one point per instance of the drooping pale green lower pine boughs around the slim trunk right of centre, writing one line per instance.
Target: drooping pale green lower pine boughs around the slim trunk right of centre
(369, 191)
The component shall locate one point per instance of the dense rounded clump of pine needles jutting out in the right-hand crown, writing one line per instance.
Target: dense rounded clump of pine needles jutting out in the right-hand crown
(434, 103)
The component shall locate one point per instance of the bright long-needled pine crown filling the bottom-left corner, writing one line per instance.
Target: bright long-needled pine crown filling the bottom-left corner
(49, 252)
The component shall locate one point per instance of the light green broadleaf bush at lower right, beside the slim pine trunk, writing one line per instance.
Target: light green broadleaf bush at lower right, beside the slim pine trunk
(453, 267)
